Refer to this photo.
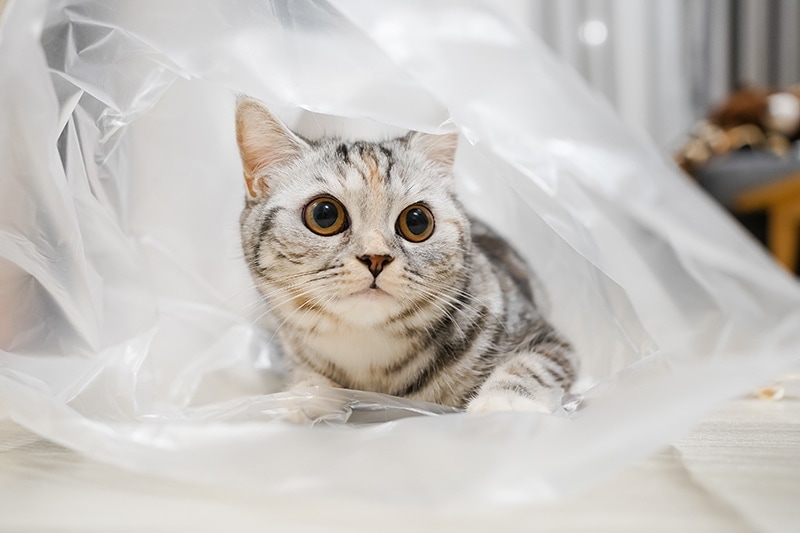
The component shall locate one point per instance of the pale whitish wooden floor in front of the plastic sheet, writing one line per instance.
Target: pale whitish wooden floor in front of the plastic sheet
(738, 470)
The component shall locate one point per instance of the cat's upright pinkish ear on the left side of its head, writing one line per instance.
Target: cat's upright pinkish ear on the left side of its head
(264, 144)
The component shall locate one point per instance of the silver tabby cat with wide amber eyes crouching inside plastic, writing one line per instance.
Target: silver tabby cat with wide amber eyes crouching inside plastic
(380, 281)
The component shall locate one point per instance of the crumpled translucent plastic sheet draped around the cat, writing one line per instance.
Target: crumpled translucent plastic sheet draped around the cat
(130, 331)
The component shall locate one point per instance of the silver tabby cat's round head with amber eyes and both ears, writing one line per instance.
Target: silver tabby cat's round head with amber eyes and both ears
(367, 232)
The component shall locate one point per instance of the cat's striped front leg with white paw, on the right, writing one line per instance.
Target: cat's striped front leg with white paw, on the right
(530, 382)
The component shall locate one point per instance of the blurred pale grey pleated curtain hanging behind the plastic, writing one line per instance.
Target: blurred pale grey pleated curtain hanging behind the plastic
(663, 64)
